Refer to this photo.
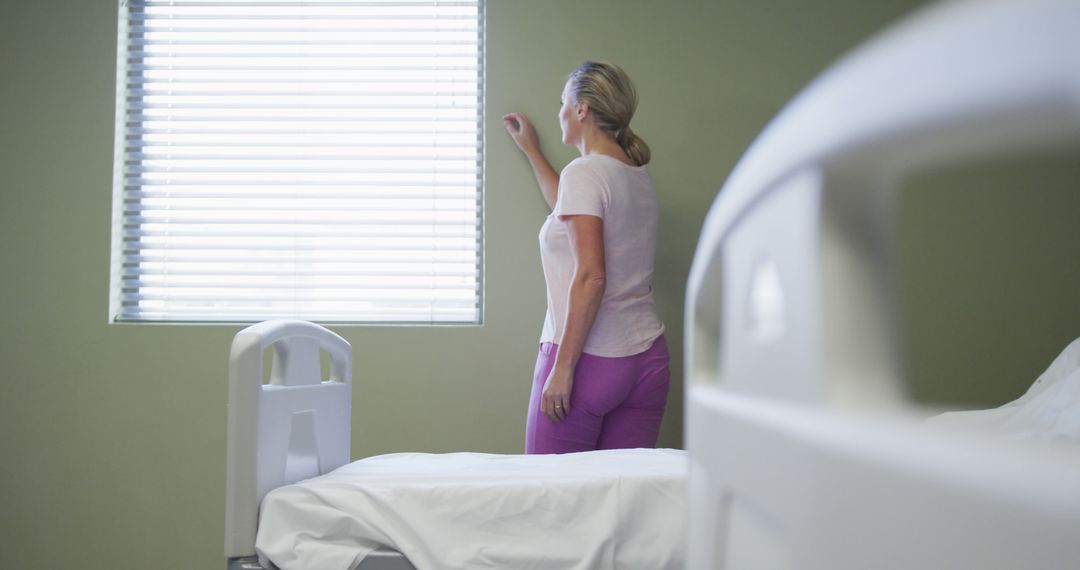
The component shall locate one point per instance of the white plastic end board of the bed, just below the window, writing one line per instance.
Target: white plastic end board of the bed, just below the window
(294, 428)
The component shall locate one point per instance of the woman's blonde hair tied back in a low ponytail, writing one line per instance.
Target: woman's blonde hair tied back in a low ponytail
(611, 96)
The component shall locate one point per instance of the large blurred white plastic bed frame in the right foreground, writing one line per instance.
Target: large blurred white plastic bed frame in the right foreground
(805, 454)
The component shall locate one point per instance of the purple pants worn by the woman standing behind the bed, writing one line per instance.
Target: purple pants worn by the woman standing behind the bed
(615, 403)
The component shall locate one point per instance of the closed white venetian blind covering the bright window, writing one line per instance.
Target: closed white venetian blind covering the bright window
(316, 160)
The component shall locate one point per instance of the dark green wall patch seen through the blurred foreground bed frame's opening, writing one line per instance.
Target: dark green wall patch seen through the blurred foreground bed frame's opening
(990, 257)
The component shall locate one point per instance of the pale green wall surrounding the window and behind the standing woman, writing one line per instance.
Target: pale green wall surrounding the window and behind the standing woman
(113, 438)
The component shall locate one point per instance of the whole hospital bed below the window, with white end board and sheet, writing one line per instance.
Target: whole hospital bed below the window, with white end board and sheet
(294, 497)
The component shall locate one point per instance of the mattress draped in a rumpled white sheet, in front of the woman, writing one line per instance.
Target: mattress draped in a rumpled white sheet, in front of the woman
(599, 510)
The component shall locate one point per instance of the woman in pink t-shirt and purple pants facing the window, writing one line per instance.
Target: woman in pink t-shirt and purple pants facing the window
(601, 379)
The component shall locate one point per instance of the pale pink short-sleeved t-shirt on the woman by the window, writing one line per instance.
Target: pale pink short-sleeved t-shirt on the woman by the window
(626, 199)
